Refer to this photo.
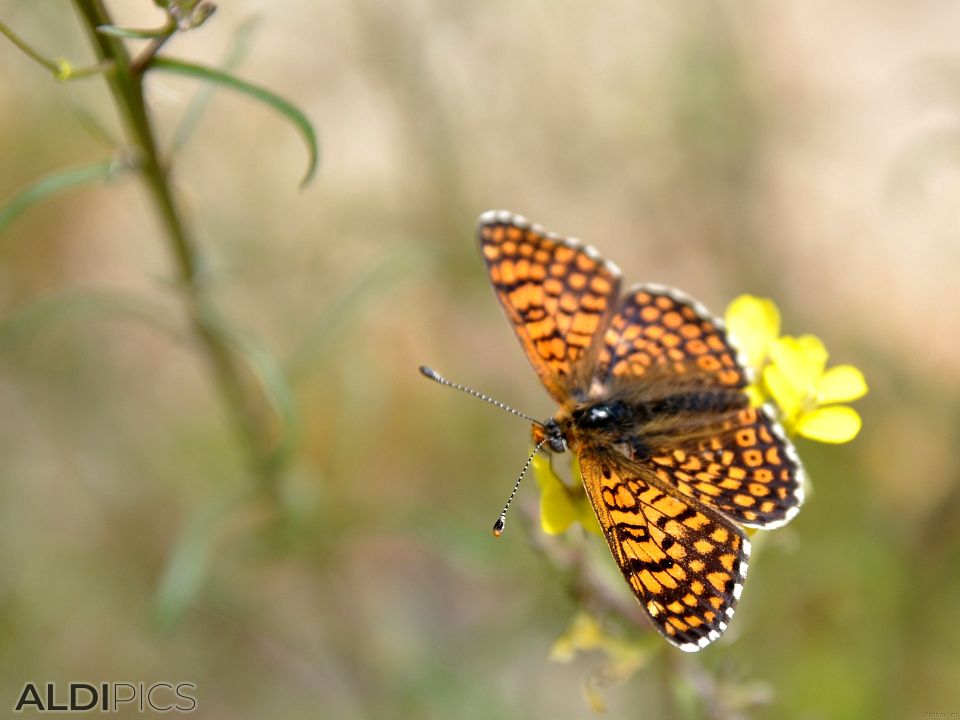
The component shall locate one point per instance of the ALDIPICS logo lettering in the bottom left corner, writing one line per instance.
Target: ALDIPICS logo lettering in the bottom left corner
(108, 697)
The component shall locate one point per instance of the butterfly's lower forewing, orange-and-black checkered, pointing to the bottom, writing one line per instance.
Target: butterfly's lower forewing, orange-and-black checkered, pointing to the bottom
(685, 562)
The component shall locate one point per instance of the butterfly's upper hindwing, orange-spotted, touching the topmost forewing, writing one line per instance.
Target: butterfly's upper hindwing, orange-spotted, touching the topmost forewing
(659, 333)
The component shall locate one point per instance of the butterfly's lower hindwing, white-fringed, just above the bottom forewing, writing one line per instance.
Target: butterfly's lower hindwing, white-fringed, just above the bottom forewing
(742, 465)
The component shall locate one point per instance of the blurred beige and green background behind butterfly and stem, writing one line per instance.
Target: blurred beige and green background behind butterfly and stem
(806, 152)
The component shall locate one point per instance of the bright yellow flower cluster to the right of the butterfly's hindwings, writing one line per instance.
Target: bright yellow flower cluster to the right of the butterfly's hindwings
(792, 371)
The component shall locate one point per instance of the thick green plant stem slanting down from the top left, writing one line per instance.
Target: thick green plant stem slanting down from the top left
(126, 85)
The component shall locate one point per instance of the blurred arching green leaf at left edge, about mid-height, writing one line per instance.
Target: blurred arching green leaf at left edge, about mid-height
(37, 315)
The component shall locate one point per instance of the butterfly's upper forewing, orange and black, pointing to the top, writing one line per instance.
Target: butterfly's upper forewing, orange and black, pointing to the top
(558, 294)
